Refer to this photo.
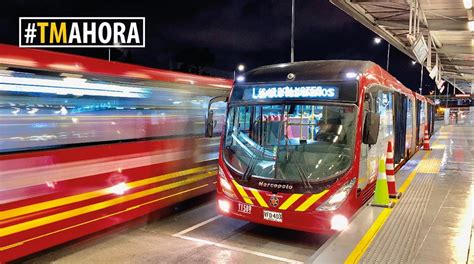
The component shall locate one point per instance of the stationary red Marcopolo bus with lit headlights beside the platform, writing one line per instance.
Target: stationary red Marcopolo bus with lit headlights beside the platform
(301, 141)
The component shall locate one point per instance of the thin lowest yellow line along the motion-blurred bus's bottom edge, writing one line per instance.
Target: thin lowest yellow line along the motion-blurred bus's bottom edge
(100, 218)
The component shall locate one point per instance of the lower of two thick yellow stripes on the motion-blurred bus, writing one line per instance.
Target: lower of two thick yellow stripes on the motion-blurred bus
(98, 206)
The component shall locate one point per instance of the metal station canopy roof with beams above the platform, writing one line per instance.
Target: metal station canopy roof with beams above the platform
(443, 24)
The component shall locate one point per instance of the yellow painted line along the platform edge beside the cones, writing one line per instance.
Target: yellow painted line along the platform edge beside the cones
(367, 239)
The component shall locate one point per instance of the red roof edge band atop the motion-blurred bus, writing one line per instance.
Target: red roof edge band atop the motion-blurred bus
(15, 57)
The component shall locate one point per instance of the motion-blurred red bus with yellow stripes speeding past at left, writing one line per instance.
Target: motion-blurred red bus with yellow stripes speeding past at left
(86, 144)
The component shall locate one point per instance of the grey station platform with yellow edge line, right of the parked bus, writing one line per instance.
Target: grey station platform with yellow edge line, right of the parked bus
(433, 220)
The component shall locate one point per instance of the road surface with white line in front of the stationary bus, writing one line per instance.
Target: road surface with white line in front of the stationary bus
(222, 240)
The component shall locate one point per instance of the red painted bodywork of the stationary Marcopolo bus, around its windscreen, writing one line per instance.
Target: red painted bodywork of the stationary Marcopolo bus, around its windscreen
(312, 220)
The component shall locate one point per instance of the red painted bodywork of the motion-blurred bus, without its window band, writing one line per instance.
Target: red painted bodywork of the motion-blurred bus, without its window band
(48, 197)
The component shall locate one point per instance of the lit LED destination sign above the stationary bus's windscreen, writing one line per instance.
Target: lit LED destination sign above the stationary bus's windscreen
(292, 92)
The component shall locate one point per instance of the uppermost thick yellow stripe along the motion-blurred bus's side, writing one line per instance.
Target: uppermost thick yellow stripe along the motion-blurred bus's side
(89, 195)
